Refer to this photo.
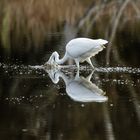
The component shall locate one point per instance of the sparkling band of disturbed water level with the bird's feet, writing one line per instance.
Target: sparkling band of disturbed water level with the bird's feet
(28, 69)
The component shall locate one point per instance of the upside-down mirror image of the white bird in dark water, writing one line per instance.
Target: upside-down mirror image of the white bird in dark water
(79, 89)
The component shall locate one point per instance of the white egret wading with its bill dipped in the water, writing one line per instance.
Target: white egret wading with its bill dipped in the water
(79, 49)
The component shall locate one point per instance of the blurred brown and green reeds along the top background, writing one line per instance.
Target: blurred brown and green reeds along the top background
(28, 22)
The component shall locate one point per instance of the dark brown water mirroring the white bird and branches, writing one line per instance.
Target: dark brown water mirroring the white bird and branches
(37, 103)
